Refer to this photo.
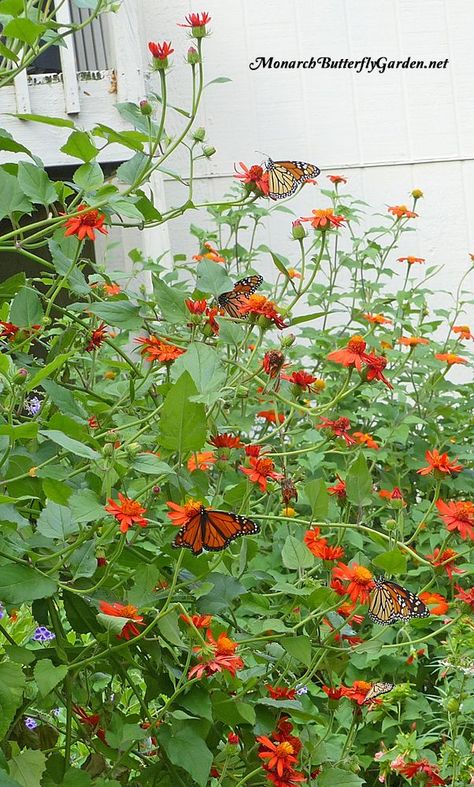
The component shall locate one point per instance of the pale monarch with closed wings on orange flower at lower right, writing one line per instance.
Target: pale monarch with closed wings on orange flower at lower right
(390, 603)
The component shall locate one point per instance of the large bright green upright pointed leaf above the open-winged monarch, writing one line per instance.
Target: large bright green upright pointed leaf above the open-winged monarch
(183, 423)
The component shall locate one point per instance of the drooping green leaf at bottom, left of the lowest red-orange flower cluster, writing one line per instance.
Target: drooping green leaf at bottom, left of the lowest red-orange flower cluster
(186, 749)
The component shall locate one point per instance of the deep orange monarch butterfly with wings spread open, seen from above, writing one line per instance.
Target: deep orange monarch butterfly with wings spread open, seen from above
(213, 530)
